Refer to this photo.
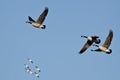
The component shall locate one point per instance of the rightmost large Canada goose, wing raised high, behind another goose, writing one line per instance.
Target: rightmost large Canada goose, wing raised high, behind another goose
(105, 46)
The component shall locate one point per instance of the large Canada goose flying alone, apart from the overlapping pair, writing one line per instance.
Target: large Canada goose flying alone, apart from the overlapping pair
(40, 20)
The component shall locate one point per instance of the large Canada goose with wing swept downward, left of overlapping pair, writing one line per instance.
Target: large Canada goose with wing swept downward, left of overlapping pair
(90, 41)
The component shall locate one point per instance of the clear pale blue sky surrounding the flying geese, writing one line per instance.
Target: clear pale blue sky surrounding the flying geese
(56, 48)
